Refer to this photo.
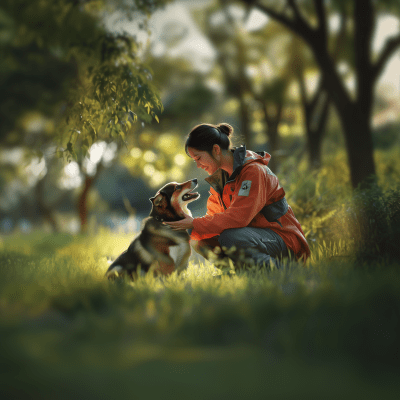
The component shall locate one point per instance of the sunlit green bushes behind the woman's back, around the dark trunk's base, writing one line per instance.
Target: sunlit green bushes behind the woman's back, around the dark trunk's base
(365, 224)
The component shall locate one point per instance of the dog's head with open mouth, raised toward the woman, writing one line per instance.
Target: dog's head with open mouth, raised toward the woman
(170, 202)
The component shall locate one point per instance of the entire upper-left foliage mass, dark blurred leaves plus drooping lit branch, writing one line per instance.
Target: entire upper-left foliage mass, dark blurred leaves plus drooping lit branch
(60, 62)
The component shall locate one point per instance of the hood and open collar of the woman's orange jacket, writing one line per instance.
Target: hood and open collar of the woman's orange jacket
(241, 158)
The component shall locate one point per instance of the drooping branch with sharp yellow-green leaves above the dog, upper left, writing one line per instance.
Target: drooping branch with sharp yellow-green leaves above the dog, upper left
(117, 93)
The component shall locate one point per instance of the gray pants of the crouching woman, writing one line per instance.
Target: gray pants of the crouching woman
(261, 244)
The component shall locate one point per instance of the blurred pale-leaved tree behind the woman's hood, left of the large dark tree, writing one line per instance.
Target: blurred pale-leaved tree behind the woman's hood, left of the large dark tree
(257, 71)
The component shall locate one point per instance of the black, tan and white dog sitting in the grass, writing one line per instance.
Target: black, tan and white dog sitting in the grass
(158, 248)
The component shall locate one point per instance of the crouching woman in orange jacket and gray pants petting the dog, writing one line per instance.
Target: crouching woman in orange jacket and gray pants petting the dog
(247, 206)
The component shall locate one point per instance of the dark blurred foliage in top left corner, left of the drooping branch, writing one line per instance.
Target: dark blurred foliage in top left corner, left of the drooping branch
(35, 62)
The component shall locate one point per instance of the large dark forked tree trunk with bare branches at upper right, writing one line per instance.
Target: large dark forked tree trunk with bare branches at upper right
(354, 111)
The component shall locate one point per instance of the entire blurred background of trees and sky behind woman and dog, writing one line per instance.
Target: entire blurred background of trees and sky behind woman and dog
(99, 95)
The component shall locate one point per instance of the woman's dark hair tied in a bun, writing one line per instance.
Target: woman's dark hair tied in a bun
(203, 137)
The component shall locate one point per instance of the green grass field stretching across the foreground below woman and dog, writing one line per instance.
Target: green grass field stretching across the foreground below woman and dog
(328, 330)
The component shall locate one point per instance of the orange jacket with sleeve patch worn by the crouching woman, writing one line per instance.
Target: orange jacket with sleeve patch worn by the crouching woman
(251, 196)
